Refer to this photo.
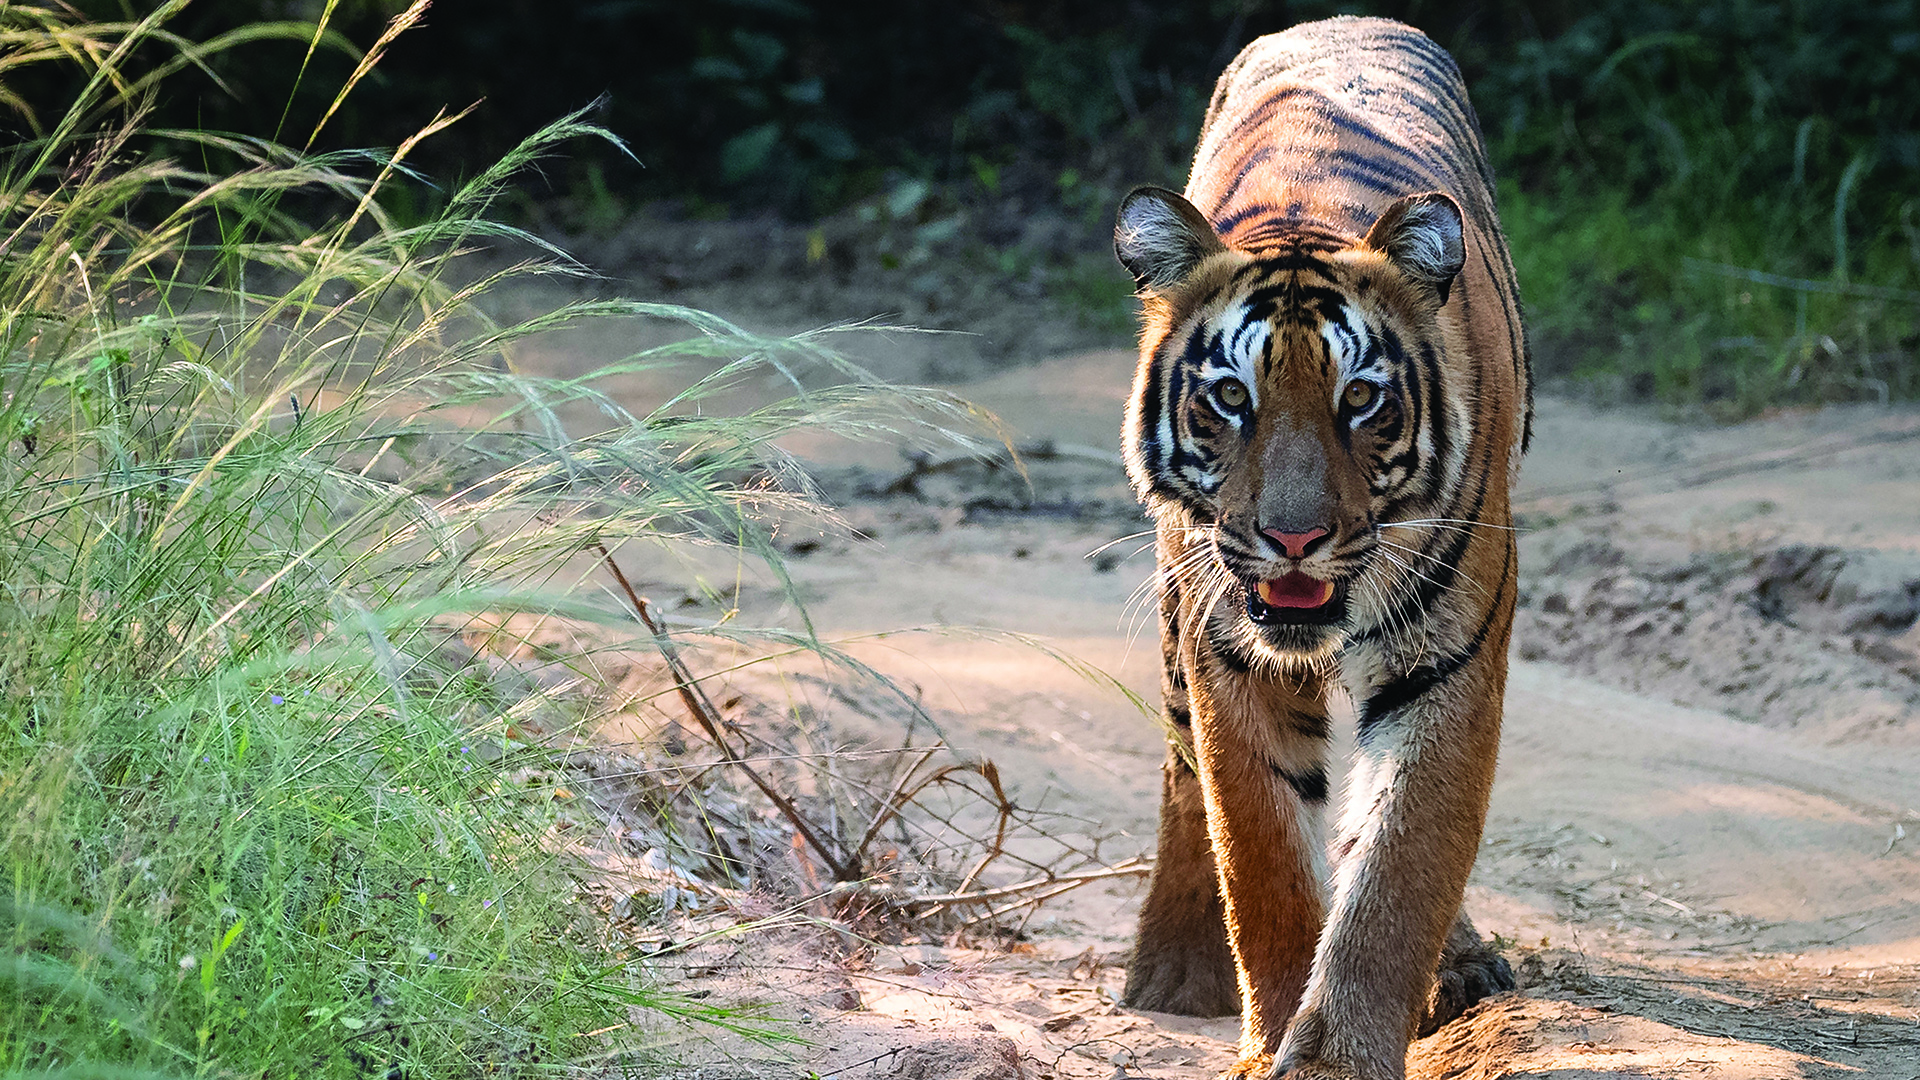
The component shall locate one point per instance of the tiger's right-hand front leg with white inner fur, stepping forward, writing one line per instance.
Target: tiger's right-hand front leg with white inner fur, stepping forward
(1406, 845)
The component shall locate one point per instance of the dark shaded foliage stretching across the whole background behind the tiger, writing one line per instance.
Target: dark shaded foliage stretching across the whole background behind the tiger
(1712, 201)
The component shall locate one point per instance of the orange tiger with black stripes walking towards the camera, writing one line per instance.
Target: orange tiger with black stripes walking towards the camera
(1328, 420)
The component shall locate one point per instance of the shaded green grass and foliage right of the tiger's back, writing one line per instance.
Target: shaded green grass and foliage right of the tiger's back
(1717, 205)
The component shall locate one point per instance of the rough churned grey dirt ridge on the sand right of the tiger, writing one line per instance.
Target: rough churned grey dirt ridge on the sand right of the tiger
(1800, 637)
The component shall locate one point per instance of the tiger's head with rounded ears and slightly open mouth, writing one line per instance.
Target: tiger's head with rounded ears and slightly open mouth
(1293, 406)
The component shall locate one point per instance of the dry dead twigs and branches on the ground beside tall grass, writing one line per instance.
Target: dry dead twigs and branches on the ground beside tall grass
(909, 837)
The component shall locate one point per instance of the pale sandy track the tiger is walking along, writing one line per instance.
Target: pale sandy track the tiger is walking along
(1704, 848)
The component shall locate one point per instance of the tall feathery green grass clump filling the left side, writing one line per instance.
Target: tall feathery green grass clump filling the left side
(256, 443)
